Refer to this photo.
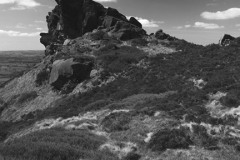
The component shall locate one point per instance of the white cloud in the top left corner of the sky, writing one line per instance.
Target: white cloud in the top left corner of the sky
(21, 4)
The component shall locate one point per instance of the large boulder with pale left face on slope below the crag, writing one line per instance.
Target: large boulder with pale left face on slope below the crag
(65, 70)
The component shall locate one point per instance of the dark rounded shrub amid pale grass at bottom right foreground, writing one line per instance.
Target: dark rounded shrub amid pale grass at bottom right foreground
(170, 138)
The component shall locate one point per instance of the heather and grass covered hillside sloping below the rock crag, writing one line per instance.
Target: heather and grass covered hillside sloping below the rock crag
(168, 100)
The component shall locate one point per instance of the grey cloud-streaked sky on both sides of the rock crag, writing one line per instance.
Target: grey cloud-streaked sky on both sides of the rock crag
(197, 21)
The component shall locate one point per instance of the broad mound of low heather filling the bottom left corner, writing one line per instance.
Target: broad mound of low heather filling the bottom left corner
(56, 144)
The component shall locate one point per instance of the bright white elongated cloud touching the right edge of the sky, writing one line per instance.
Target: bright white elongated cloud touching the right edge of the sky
(222, 15)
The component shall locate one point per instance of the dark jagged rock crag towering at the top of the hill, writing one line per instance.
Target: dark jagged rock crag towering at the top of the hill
(74, 18)
